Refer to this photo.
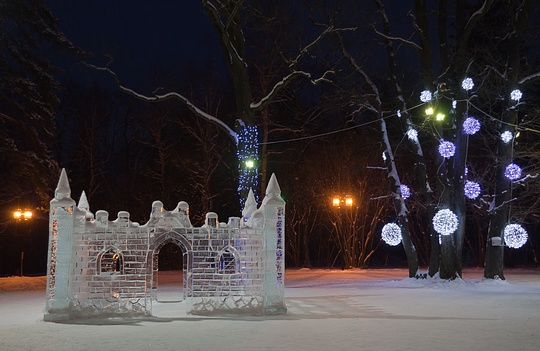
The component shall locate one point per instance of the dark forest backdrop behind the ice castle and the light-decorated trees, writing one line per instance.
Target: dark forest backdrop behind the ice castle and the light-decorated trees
(321, 140)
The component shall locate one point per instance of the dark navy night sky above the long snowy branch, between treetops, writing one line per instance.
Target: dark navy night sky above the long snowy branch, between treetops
(138, 35)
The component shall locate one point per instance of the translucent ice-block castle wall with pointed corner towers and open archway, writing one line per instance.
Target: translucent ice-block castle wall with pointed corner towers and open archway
(98, 267)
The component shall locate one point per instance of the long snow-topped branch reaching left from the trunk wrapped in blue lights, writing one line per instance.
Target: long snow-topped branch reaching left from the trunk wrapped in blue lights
(171, 95)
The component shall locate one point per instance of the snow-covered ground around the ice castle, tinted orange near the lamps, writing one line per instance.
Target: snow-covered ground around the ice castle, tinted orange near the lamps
(376, 309)
